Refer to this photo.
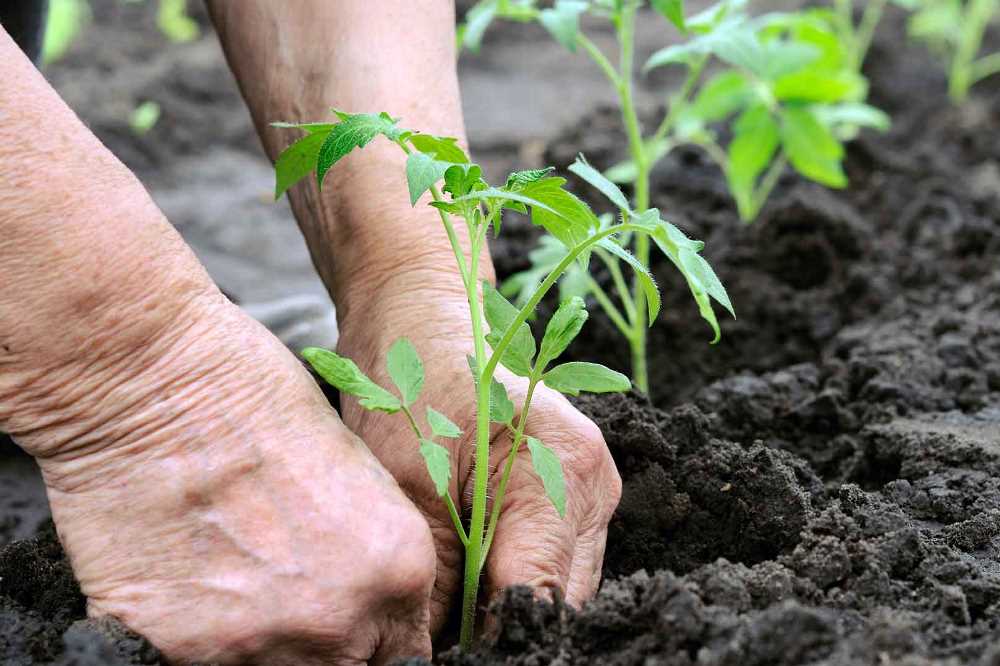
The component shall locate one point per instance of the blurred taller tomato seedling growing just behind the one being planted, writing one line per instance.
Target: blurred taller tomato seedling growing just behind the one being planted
(783, 87)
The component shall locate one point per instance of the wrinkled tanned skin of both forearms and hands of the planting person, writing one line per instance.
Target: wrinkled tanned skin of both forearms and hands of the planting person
(206, 493)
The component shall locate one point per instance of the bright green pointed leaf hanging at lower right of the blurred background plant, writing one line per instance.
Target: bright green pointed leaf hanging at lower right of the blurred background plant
(812, 148)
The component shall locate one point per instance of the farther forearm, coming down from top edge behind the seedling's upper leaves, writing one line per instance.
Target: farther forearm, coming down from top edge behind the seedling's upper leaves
(295, 60)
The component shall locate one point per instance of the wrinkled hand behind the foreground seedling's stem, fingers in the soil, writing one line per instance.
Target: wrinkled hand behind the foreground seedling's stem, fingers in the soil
(533, 545)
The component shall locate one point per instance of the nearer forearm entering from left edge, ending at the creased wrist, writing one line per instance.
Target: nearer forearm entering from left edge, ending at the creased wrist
(90, 269)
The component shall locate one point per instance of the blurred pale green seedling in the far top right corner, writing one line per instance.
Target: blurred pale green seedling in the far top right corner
(954, 30)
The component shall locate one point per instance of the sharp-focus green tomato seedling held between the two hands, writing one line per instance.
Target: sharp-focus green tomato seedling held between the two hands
(501, 335)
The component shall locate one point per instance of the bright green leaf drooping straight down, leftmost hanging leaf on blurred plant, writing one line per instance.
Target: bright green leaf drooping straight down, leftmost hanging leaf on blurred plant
(755, 140)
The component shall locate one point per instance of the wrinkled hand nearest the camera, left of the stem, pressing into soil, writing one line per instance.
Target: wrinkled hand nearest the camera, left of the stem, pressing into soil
(209, 497)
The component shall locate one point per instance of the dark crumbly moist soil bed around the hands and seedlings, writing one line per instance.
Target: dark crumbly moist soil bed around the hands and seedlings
(821, 487)
